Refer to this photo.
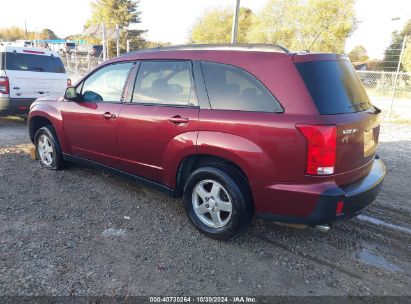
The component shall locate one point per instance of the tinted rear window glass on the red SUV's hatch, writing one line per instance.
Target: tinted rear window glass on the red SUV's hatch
(334, 86)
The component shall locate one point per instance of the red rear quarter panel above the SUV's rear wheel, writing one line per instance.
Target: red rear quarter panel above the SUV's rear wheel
(266, 146)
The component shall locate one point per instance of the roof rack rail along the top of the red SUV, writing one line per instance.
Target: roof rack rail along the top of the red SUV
(257, 47)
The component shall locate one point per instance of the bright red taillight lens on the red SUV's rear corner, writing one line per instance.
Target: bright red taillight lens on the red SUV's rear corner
(322, 148)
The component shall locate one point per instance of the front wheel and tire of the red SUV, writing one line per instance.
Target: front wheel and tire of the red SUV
(48, 149)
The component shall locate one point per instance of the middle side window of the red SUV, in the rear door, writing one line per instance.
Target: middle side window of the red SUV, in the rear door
(164, 83)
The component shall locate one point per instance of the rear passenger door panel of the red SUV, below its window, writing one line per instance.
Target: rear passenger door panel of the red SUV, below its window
(146, 139)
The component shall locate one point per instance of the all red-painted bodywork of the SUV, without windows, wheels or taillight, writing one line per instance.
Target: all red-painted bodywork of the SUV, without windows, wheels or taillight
(267, 147)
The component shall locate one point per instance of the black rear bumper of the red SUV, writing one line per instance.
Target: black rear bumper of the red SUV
(356, 197)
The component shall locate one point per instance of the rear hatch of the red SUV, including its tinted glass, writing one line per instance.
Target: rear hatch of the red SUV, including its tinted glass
(341, 100)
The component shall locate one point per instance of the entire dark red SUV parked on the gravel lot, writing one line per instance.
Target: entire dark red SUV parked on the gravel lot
(234, 130)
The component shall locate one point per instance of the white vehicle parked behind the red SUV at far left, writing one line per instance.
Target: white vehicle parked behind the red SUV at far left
(27, 73)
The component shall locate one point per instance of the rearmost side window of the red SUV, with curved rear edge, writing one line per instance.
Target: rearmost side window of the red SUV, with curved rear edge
(232, 88)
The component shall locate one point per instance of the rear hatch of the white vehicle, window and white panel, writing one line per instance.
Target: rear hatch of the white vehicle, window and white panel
(33, 75)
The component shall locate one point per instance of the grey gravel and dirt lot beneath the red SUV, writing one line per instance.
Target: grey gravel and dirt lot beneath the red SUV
(83, 232)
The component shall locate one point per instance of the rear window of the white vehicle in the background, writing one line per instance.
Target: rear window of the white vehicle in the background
(33, 63)
